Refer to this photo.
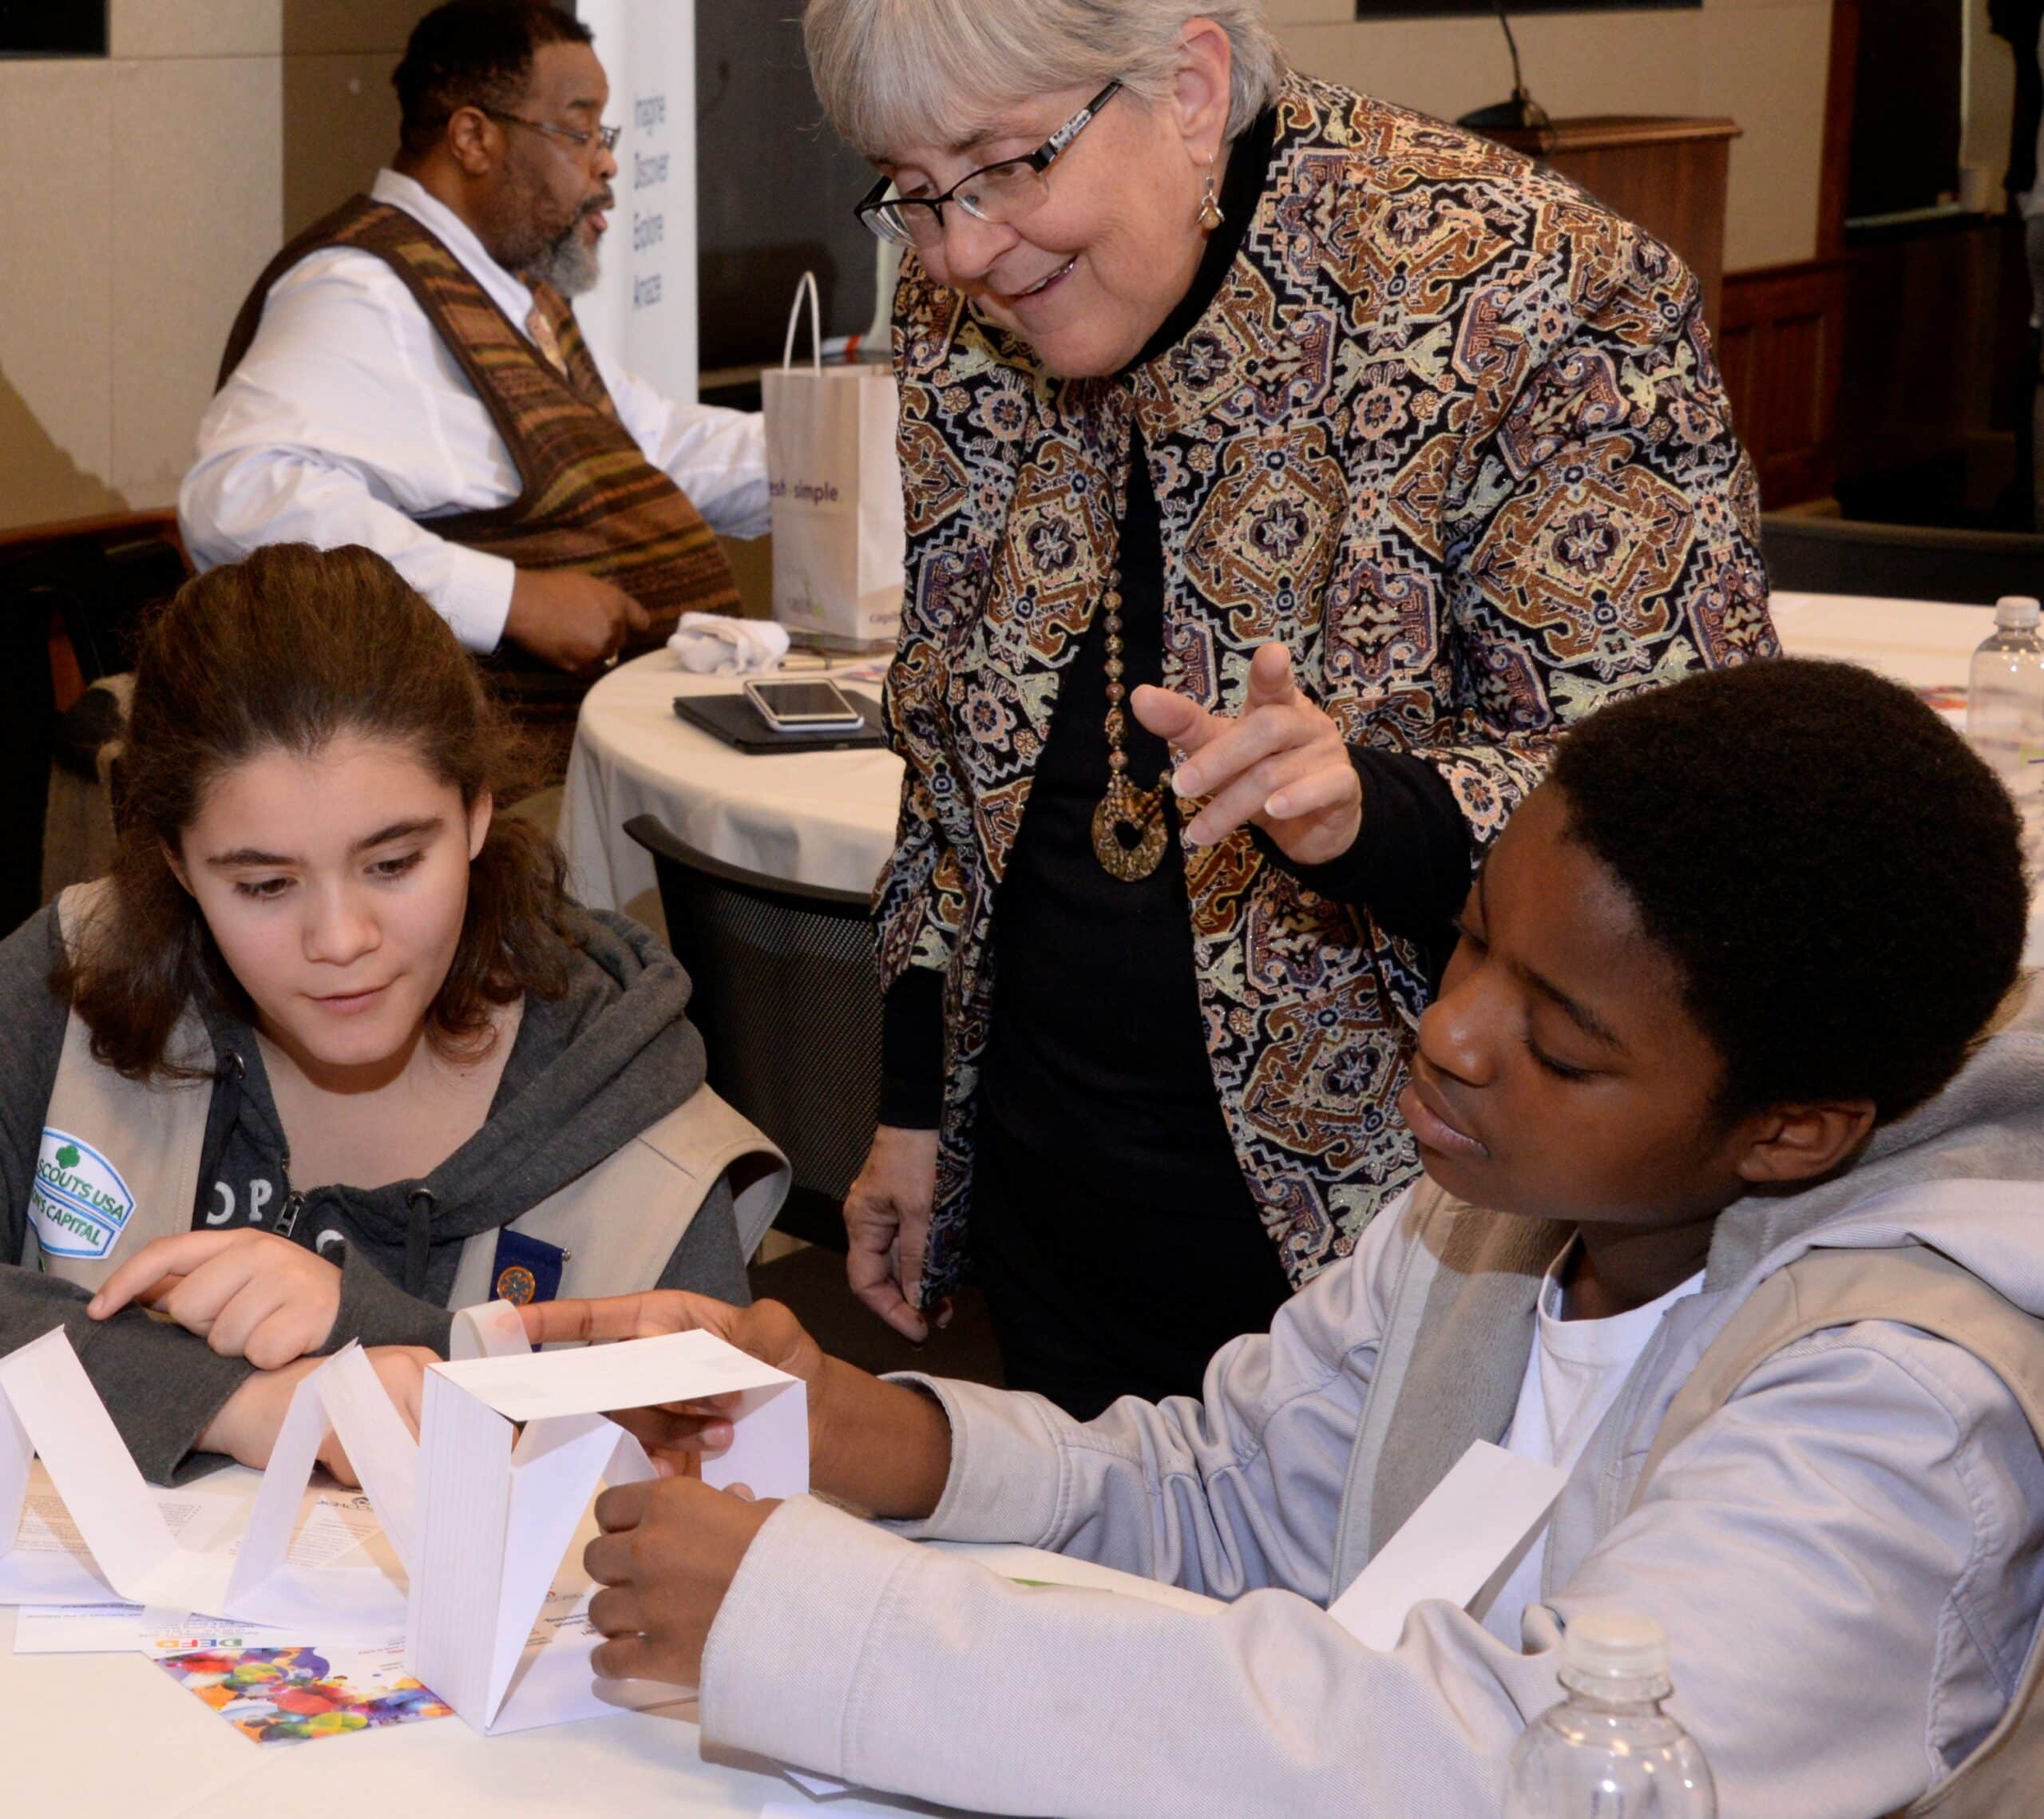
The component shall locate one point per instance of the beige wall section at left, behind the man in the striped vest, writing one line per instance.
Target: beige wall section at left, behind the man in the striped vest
(144, 195)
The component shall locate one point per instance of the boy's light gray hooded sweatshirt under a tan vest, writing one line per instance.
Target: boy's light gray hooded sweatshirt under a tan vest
(1849, 1556)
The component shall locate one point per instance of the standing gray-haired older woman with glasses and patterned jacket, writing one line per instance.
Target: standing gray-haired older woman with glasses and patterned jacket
(1285, 471)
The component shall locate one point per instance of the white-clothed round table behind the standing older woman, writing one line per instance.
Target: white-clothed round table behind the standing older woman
(829, 819)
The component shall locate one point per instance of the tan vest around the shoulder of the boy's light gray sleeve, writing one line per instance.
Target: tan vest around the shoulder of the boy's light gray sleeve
(1920, 1289)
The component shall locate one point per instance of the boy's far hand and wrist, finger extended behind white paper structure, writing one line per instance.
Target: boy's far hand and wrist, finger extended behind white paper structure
(878, 1446)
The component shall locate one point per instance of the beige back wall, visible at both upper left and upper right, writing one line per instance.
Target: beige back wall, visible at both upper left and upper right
(148, 191)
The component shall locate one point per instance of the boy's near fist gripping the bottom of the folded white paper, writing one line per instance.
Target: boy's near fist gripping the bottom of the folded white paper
(667, 1556)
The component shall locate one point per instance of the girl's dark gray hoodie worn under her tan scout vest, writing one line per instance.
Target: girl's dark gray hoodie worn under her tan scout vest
(586, 1076)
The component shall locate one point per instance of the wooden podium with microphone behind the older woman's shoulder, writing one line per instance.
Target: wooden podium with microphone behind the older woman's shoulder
(1669, 175)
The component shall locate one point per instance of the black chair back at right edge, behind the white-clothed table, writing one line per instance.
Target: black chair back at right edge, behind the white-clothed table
(1912, 563)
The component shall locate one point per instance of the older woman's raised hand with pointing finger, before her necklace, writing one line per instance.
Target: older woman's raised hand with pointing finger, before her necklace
(1281, 765)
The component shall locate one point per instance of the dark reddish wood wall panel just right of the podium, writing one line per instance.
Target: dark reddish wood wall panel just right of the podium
(1781, 348)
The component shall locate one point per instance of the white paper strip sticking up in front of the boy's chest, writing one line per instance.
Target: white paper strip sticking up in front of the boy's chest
(1454, 1544)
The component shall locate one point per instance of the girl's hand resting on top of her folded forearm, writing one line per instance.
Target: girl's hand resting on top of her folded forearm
(248, 1295)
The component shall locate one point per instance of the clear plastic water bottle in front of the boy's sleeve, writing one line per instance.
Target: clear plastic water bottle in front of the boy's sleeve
(1610, 1751)
